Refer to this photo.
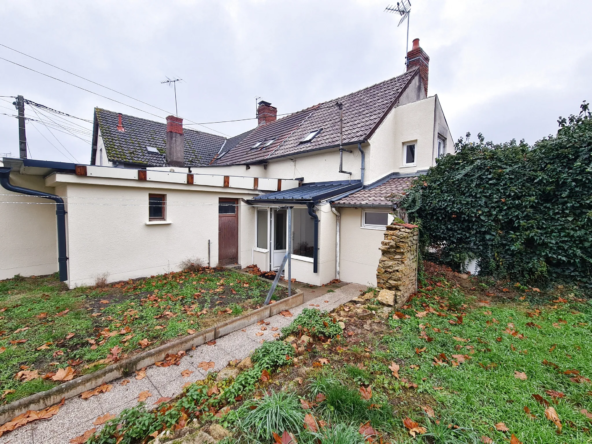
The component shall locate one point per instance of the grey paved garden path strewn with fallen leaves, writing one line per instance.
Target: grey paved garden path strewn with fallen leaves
(77, 415)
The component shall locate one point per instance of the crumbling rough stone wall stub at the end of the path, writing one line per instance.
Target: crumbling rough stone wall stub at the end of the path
(397, 268)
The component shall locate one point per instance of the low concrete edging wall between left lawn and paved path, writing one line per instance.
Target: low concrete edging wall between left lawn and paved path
(128, 366)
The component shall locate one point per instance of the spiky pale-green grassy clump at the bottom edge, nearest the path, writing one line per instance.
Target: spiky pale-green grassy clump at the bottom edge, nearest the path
(274, 413)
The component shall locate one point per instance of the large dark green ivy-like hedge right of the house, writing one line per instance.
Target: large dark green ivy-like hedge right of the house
(523, 212)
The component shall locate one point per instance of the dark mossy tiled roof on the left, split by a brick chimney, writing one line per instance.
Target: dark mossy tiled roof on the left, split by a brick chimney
(130, 145)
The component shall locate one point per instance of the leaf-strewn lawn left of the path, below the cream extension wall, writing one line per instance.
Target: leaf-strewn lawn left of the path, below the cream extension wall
(45, 327)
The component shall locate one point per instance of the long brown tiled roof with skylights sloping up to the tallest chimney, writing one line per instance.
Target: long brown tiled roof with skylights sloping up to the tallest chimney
(363, 111)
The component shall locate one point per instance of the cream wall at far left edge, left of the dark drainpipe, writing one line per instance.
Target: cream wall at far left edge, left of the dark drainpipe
(28, 238)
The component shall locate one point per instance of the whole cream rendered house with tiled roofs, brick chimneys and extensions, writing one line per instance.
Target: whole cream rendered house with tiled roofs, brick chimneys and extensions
(156, 194)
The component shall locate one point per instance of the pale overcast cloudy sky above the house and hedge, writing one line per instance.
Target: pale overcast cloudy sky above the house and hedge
(507, 69)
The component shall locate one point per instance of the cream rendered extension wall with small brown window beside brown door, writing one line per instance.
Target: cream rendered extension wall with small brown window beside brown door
(109, 232)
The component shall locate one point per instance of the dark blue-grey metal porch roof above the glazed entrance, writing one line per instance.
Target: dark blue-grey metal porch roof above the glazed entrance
(308, 192)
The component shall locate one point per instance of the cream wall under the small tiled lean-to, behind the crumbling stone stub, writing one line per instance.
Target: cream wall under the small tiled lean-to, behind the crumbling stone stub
(359, 249)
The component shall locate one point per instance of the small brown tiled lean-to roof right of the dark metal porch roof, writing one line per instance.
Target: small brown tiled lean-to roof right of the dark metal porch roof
(377, 194)
